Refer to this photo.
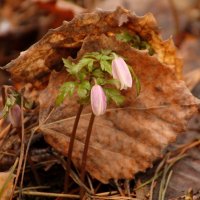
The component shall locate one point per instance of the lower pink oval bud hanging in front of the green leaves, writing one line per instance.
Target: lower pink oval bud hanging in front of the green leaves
(98, 100)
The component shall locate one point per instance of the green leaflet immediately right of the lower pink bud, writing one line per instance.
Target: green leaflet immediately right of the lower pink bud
(114, 95)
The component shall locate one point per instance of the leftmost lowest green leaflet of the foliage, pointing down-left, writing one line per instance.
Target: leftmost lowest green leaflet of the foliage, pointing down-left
(66, 89)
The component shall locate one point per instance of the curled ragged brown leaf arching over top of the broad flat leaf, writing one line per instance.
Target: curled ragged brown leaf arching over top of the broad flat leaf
(35, 65)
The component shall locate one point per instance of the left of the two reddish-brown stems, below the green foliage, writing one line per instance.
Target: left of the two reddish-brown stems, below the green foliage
(70, 149)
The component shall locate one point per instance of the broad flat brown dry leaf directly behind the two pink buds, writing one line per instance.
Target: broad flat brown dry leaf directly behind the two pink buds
(124, 141)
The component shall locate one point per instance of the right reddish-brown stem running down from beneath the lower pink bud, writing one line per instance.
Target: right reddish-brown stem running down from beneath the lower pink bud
(85, 151)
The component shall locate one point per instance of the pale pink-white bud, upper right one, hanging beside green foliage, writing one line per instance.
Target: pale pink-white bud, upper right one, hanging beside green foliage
(121, 72)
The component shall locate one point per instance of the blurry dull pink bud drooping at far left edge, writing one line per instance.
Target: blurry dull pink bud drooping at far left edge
(15, 116)
